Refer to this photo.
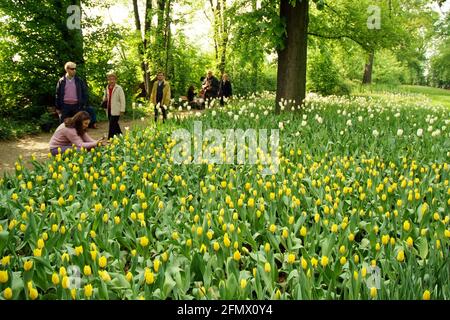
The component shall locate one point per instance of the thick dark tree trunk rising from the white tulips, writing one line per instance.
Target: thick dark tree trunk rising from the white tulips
(291, 77)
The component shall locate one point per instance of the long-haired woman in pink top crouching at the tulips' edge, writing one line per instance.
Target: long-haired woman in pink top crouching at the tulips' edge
(73, 132)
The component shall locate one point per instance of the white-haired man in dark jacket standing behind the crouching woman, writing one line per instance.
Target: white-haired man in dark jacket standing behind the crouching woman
(71, 93)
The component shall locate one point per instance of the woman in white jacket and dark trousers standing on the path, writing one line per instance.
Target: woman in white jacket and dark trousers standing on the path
(114, 98)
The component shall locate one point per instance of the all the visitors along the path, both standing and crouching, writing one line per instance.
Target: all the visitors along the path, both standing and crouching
(76, 116)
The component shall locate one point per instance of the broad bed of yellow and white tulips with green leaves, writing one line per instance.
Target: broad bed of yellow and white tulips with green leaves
(358, 209)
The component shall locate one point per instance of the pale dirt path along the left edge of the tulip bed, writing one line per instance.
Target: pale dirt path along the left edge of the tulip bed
(38, 144)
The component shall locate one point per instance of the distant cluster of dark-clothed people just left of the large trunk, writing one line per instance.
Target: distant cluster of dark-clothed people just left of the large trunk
(212, 88)
